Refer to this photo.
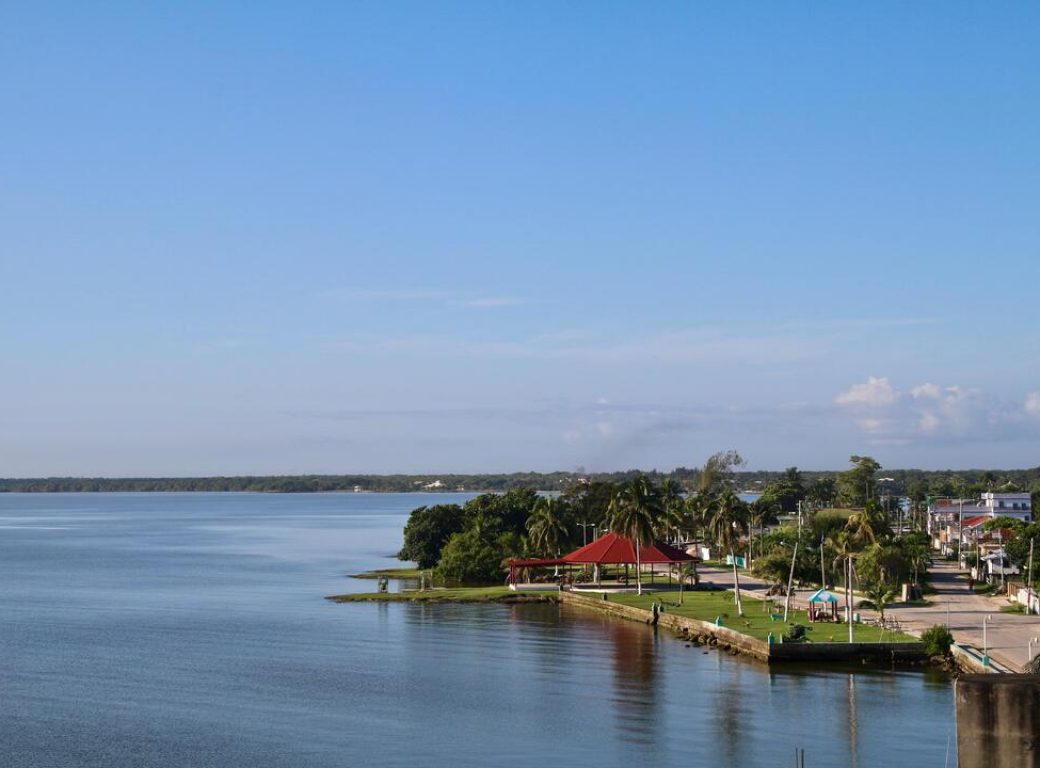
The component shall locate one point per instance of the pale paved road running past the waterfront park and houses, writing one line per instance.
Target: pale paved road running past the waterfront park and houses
(1008, 634)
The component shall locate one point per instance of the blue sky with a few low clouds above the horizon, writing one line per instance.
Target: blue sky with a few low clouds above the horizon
(386, 237)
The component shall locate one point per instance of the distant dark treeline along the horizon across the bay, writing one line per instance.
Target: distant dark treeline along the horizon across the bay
(946, 482)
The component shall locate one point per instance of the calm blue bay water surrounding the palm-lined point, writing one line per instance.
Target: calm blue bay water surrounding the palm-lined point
(190, 630)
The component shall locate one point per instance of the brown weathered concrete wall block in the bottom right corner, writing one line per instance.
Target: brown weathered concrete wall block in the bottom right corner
(998, 722)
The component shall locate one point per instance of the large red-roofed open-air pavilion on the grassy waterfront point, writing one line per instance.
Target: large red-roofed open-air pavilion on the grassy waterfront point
(609, 550)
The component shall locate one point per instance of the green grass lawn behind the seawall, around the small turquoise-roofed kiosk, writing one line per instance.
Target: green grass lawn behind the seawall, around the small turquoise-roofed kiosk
(757, 622)
